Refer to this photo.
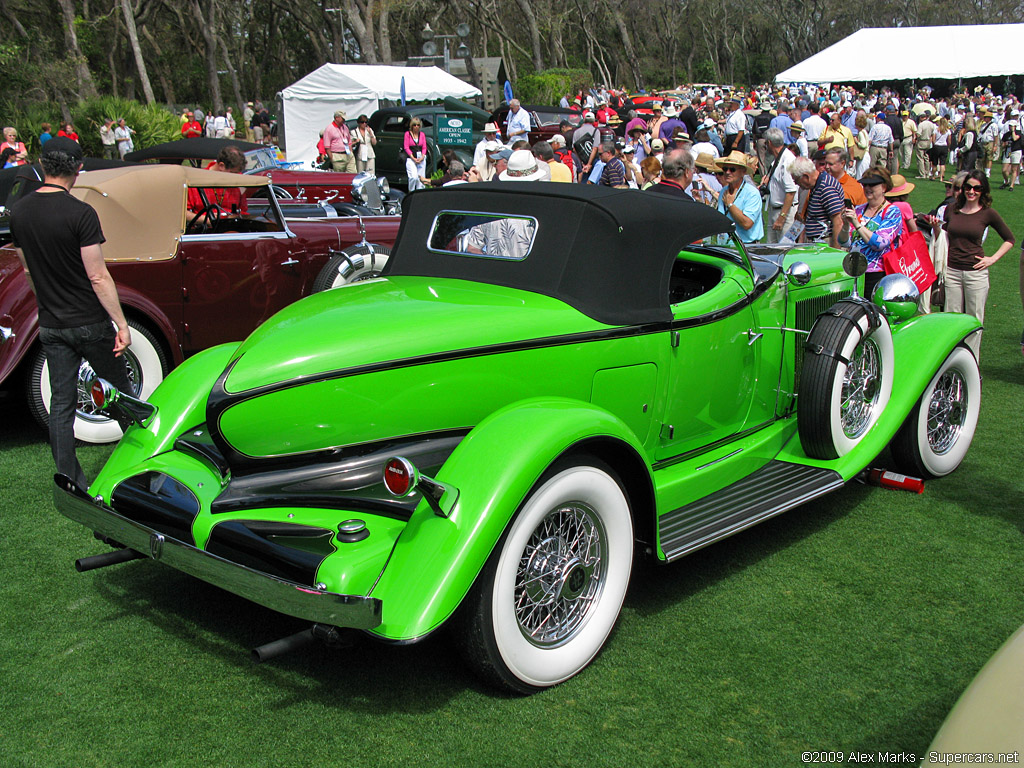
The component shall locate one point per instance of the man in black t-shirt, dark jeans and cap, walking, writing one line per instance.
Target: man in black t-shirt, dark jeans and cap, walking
(59, 242)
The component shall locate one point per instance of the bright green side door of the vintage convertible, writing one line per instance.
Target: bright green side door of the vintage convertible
(715, 358)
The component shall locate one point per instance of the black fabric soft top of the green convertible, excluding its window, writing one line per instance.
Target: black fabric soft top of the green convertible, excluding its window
(607, 252)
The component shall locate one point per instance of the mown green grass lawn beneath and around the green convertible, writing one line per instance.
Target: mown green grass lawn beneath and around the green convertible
(850, 624)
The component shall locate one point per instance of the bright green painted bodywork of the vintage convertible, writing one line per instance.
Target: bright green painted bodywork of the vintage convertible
(516, 381)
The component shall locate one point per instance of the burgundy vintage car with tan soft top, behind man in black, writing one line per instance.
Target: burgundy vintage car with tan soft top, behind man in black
(188, 282)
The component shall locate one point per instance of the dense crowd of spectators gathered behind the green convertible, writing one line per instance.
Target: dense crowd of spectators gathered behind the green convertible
(797, 165)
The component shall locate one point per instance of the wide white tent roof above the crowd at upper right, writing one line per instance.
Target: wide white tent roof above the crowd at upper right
(916, 54)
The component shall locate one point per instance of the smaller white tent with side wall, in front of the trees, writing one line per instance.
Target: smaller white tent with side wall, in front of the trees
(310, 104)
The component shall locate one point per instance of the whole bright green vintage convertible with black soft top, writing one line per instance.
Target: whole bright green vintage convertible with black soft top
(547, 382)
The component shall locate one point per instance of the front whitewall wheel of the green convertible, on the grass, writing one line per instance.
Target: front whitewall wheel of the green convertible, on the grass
(935, 437)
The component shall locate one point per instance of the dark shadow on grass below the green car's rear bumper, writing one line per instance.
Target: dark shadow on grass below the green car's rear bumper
(370, 676)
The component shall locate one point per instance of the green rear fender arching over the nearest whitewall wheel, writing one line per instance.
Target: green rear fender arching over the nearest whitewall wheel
(437, 560)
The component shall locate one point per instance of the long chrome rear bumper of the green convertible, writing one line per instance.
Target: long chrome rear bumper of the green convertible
(278, 594)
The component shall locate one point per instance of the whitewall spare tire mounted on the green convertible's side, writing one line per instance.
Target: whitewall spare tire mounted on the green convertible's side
(847, 378)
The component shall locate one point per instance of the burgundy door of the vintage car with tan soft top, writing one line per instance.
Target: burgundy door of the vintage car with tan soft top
(235, 280)
